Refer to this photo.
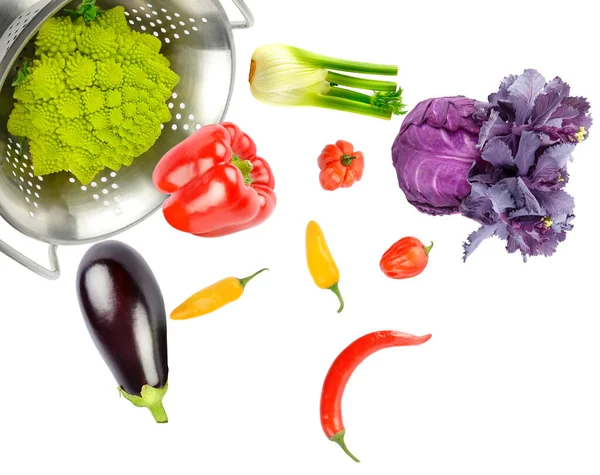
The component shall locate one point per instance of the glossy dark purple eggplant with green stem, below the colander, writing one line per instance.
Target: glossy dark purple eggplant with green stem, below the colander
(125, 315)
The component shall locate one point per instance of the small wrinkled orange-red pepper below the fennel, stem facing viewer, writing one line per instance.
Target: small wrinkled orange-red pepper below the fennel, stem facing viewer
(340, 166)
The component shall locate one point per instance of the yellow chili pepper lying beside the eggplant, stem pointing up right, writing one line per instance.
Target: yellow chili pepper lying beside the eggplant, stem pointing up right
(212, 297)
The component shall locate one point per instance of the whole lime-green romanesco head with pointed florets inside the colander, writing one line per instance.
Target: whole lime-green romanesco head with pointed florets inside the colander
(93, 97)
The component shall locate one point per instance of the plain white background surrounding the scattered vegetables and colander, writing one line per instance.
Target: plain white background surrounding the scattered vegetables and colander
(506, 385)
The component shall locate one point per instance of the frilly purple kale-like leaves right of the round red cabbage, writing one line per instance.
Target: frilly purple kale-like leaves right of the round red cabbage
(526, 142)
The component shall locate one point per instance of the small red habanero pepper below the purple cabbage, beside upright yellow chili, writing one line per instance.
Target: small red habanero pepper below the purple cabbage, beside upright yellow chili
(406, 258)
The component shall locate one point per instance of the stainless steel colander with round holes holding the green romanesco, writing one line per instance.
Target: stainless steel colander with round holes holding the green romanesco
(56, 209)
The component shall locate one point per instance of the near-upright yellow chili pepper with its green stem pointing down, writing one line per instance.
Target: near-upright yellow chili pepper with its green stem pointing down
(321, 264)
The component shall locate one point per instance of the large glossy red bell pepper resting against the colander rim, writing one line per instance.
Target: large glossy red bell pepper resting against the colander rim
(217, 183)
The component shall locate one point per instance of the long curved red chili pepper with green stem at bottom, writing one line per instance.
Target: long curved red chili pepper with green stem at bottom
(341, 370)
